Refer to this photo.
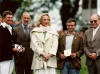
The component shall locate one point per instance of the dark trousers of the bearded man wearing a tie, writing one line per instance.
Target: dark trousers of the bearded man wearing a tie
(23, 62)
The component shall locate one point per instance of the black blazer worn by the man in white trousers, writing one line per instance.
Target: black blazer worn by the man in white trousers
(6, 44)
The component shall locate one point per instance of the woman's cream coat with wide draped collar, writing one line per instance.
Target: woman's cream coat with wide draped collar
(41, 44)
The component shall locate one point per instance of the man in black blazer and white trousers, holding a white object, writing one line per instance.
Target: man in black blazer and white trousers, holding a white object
(7, 41)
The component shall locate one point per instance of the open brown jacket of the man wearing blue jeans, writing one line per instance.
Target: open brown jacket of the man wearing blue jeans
(77, 47)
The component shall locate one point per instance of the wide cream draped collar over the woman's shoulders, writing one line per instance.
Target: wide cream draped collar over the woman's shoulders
(39, 32)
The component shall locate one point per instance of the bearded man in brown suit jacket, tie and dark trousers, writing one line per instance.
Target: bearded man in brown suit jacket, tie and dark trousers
(23, 60)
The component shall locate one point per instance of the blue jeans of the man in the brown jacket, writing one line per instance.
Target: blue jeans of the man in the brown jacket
(68, 70)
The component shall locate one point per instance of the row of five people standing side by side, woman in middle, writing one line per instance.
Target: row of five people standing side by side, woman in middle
(40, 49)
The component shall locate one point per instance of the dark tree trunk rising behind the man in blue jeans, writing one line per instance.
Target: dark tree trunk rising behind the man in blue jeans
(68, 10)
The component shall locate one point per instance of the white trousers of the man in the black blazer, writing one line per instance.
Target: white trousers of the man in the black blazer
(6, 67)
